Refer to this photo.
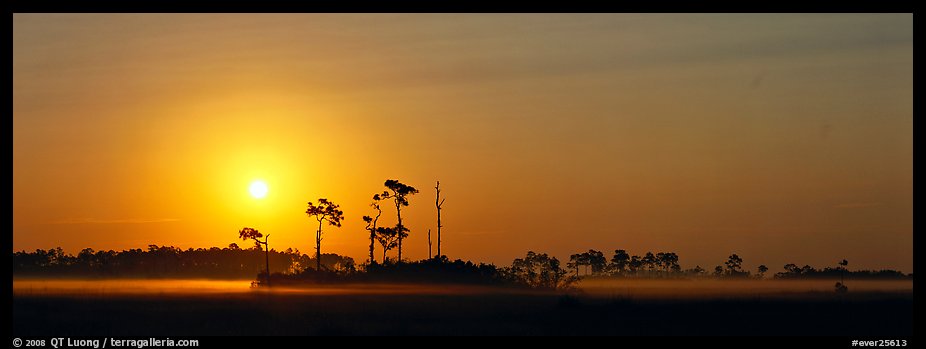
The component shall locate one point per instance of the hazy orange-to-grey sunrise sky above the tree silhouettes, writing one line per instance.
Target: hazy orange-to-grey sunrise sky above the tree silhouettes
(782, 138)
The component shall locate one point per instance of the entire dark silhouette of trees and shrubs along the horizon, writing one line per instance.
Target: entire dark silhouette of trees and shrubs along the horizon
(534, 270)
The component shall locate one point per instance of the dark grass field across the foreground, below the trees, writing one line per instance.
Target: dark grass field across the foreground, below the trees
(417, 310)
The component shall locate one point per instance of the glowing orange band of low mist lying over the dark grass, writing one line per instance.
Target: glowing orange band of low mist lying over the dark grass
(592, 287)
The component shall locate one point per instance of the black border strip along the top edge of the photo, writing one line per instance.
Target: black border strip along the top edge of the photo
(422, 6)
